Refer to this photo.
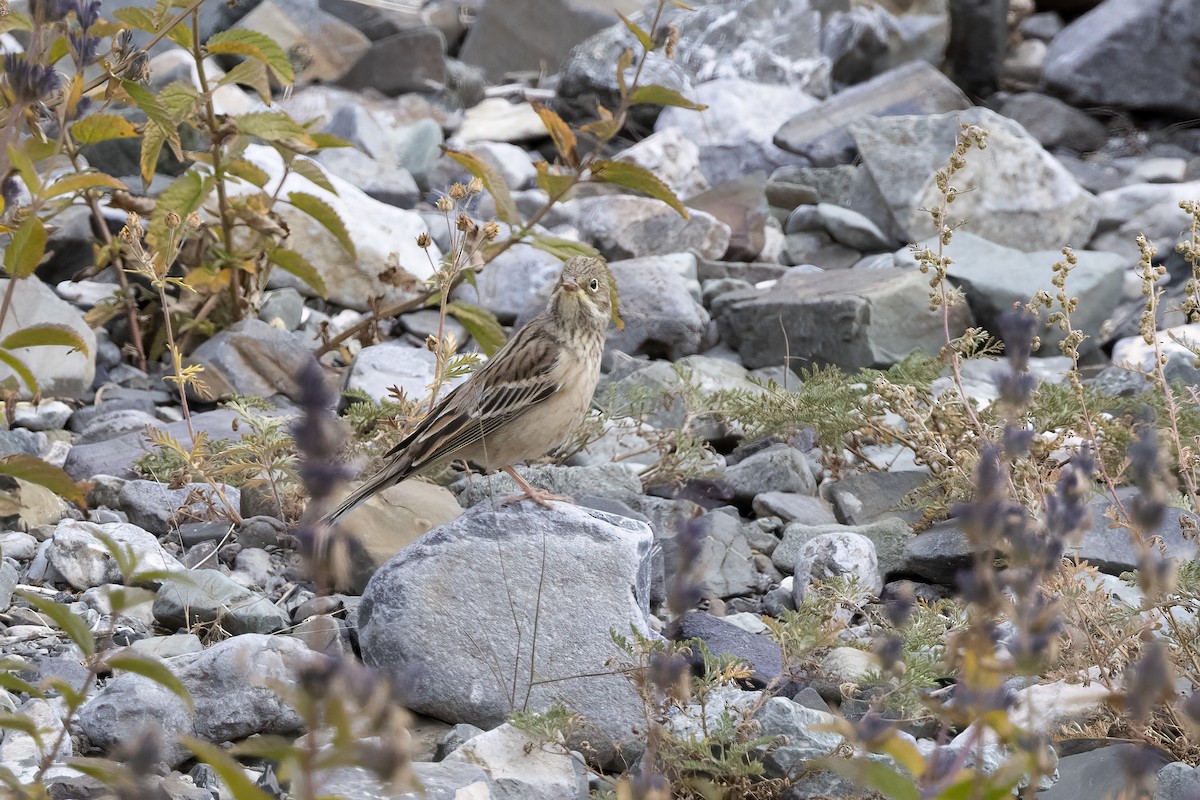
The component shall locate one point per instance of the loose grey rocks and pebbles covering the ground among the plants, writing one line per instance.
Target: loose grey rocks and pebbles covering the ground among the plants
(806, 179)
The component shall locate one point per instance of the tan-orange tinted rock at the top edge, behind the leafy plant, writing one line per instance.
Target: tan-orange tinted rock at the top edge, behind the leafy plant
(327, 47)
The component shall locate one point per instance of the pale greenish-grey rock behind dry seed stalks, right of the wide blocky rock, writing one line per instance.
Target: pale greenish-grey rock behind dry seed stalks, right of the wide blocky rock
(1097, 281)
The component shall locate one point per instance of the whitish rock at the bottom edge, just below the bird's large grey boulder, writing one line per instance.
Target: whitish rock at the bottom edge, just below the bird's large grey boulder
(520, 767)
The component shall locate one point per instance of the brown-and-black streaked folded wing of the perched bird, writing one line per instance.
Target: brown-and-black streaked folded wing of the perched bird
(519, 377)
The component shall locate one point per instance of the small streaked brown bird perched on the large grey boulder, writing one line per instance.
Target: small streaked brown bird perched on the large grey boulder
(525, 401)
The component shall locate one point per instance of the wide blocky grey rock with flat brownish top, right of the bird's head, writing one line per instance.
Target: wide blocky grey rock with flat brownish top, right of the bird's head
(850, 320)
